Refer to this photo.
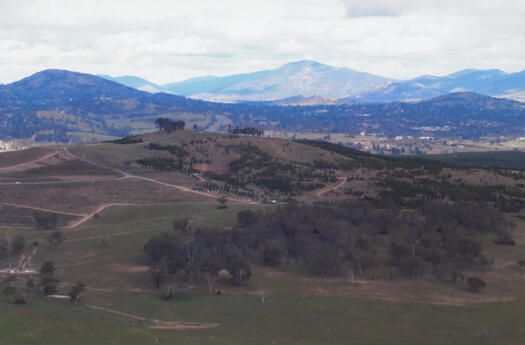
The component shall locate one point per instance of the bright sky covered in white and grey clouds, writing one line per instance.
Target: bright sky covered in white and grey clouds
(171, 40)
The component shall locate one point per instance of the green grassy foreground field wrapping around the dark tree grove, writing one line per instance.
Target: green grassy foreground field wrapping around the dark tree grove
(304, 310)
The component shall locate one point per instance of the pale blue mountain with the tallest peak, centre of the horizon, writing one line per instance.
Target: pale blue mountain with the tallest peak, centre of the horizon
(302, 78)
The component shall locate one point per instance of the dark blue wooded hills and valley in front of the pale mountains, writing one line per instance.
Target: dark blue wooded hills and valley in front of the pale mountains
(63, 106)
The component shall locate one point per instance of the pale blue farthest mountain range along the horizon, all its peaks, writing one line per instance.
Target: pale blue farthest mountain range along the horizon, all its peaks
(310, 82)
